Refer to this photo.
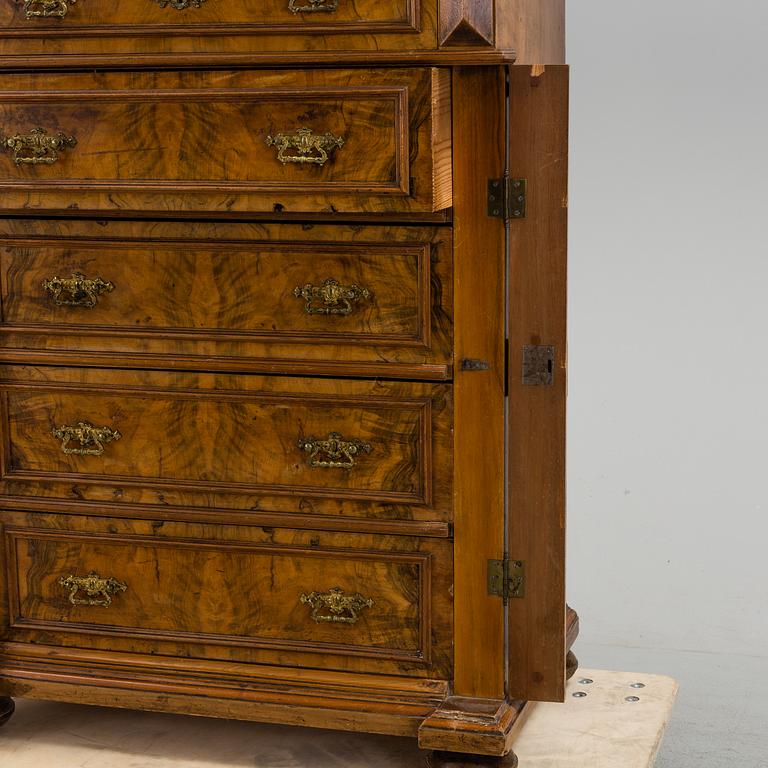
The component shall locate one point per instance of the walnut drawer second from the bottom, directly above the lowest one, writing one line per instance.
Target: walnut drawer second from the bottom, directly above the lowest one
(362, 442)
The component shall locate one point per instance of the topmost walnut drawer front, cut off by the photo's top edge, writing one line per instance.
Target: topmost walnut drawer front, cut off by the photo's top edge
(176, 26)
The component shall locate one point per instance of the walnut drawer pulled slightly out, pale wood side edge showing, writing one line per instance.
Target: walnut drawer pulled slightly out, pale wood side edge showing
(277, 142)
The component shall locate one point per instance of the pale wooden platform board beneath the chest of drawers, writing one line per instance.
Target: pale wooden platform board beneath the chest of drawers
(599, 730)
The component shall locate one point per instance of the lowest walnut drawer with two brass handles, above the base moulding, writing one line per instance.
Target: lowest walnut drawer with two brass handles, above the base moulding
(239, 594)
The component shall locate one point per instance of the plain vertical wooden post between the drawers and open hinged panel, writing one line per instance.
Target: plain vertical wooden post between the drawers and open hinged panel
(479, 395)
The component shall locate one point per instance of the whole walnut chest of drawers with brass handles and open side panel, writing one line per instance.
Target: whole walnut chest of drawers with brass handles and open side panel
(282, 362)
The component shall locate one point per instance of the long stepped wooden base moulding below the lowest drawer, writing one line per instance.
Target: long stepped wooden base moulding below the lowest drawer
(308, 697)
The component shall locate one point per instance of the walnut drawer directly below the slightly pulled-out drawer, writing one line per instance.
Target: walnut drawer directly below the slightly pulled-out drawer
(339, 294)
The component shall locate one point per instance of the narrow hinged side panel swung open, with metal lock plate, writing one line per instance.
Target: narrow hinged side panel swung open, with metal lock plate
(536, 437)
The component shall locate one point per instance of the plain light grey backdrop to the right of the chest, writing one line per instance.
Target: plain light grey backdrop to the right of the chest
(668, 435)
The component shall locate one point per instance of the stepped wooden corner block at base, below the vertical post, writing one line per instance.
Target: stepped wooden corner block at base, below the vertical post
(468, 726)
